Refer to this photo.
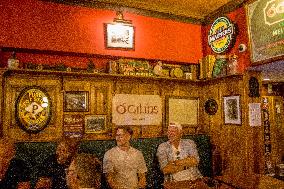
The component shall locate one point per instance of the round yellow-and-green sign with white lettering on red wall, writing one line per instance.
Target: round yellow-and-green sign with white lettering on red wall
(221, 35)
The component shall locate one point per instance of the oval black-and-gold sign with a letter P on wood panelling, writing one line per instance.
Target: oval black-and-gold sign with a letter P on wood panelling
(33, 109)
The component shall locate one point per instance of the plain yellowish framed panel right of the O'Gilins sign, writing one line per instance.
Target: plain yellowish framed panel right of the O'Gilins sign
(182, 110)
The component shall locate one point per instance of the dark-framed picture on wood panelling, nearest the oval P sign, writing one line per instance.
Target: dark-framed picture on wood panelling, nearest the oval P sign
(76, 101)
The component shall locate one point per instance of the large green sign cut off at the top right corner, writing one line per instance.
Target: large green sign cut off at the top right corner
(266, 29)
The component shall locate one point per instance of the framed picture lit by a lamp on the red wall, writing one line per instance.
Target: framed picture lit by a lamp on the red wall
(119, 36)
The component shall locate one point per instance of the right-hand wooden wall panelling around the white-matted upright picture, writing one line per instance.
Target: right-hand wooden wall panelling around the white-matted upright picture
(230, 140)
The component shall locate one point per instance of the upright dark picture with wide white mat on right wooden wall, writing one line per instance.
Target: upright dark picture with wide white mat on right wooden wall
(232, 112)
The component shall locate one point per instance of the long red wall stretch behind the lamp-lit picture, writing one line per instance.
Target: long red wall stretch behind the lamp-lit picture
(35, 24)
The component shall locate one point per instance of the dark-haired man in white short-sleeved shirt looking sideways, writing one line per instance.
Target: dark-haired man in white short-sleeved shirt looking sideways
(124, 165)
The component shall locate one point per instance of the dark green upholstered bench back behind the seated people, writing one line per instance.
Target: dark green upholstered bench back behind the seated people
(34, 153)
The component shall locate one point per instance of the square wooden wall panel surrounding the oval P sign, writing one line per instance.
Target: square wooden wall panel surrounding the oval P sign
(13, 86)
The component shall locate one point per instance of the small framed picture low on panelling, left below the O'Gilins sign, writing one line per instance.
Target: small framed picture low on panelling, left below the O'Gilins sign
(95, 124)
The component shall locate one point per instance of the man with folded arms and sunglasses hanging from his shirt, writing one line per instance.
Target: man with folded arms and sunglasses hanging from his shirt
(178, 158)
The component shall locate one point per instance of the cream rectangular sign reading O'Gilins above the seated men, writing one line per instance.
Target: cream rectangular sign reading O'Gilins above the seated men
(136, 109)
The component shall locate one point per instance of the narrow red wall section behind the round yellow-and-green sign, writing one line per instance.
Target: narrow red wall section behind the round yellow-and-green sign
(238, 17)
